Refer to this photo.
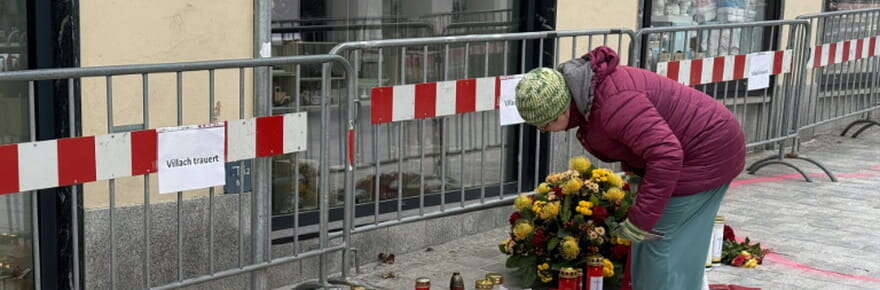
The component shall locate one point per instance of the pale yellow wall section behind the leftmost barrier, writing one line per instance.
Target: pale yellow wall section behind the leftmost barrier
(160, 31)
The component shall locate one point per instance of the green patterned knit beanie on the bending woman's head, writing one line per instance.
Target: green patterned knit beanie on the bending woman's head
(541, 96)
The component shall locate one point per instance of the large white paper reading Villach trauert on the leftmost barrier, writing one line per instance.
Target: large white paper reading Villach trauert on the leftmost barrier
(191, 158)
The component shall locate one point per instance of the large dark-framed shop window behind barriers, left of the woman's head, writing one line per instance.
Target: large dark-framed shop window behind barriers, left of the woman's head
(308, 27)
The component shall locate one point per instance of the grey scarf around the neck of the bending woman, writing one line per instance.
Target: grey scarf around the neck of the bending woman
(578, 75)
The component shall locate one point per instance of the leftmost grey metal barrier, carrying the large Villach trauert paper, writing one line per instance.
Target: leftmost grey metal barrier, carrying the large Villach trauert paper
(156, 243)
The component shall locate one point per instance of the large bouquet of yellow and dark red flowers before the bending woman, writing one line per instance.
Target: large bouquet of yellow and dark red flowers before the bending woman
(566, 220)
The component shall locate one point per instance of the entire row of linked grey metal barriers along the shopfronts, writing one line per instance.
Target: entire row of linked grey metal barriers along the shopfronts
(427, 164)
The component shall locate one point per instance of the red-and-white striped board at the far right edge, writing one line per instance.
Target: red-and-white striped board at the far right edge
(843, 51)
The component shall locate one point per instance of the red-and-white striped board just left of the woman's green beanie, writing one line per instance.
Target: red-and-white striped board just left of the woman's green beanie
(428, 100)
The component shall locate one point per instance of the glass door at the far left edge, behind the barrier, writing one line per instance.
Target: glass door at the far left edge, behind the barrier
(16, 243)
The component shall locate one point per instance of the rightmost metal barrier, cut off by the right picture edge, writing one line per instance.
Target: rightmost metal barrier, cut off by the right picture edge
(842, 73)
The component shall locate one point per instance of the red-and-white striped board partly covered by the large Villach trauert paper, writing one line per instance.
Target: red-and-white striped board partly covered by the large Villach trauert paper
(69, 161)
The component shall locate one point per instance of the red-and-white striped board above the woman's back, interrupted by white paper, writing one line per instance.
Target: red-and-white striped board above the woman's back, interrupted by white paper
(719, 69)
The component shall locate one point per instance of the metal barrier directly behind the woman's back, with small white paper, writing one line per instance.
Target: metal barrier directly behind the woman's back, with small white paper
(722, 60)
